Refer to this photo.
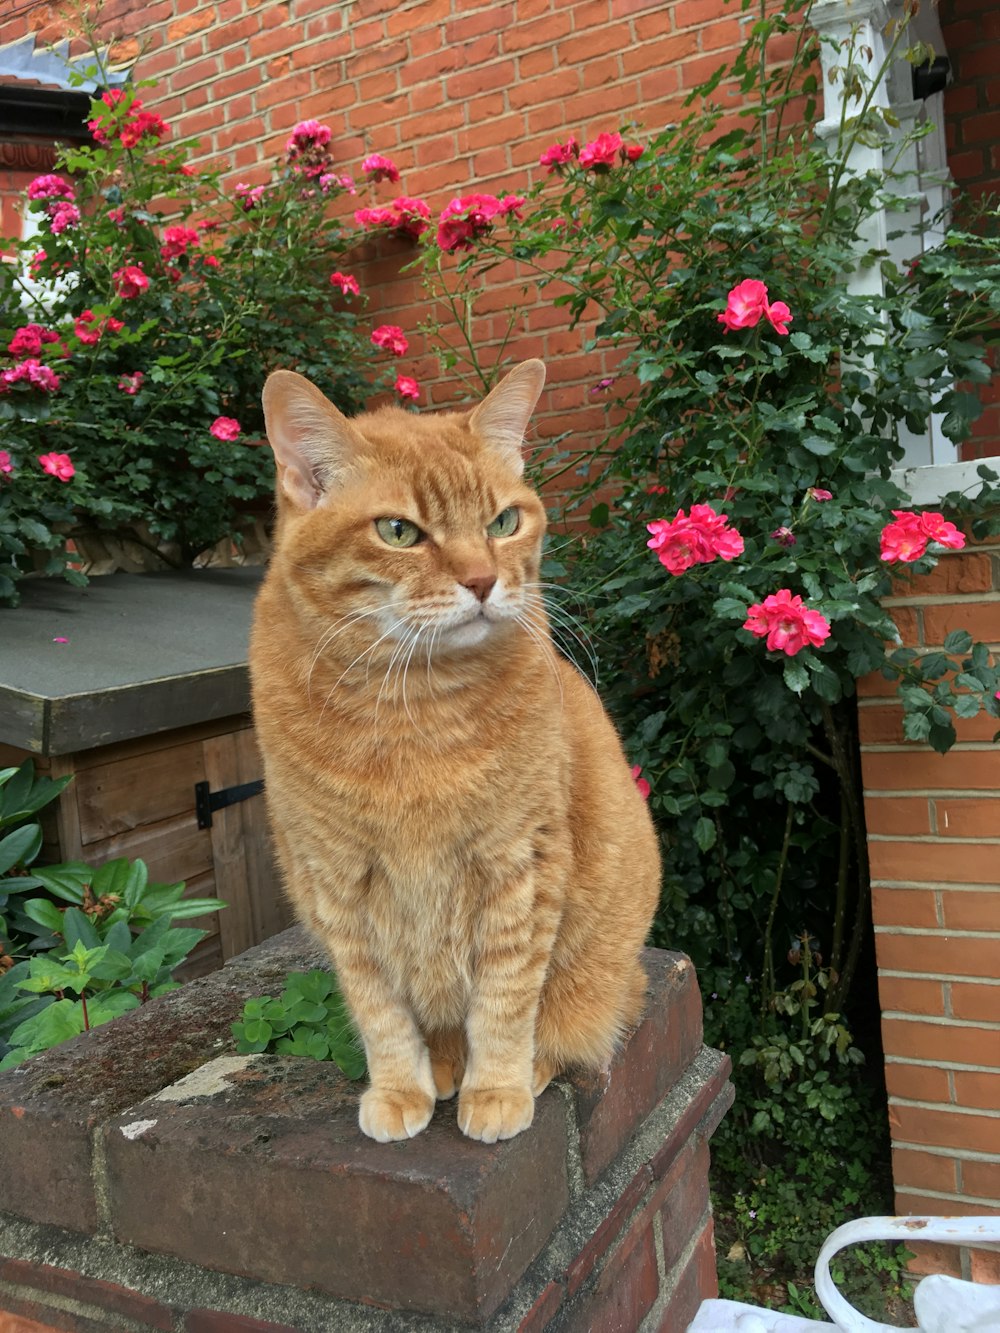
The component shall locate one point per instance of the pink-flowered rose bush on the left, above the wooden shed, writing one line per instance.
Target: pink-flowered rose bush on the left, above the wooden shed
(141, 323)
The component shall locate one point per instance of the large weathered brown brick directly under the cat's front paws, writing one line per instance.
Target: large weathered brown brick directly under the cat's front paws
(286, 1131)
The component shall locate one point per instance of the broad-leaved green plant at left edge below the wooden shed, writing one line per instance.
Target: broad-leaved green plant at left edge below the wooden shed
(101, 943)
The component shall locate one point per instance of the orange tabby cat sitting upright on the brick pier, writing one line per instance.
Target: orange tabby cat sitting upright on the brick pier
(454, 815)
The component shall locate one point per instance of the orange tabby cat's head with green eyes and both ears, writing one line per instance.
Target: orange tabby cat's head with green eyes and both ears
(421, 525)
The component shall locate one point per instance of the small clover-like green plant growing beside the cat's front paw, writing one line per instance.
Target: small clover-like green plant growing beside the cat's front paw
(310, 1019)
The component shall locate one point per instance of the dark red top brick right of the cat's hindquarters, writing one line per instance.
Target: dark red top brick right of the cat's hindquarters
(610, 1110)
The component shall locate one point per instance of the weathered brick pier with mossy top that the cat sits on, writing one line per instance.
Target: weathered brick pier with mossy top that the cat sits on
(202, 1192)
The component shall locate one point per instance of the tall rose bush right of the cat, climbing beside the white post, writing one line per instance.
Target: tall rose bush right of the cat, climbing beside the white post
(759, 415)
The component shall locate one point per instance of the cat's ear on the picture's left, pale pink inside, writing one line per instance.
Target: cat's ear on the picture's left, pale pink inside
(314, 443)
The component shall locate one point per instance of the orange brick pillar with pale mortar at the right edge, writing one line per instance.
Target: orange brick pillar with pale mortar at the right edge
(934, 832)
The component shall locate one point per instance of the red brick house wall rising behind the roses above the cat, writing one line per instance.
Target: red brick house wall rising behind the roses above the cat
(461, 94)
